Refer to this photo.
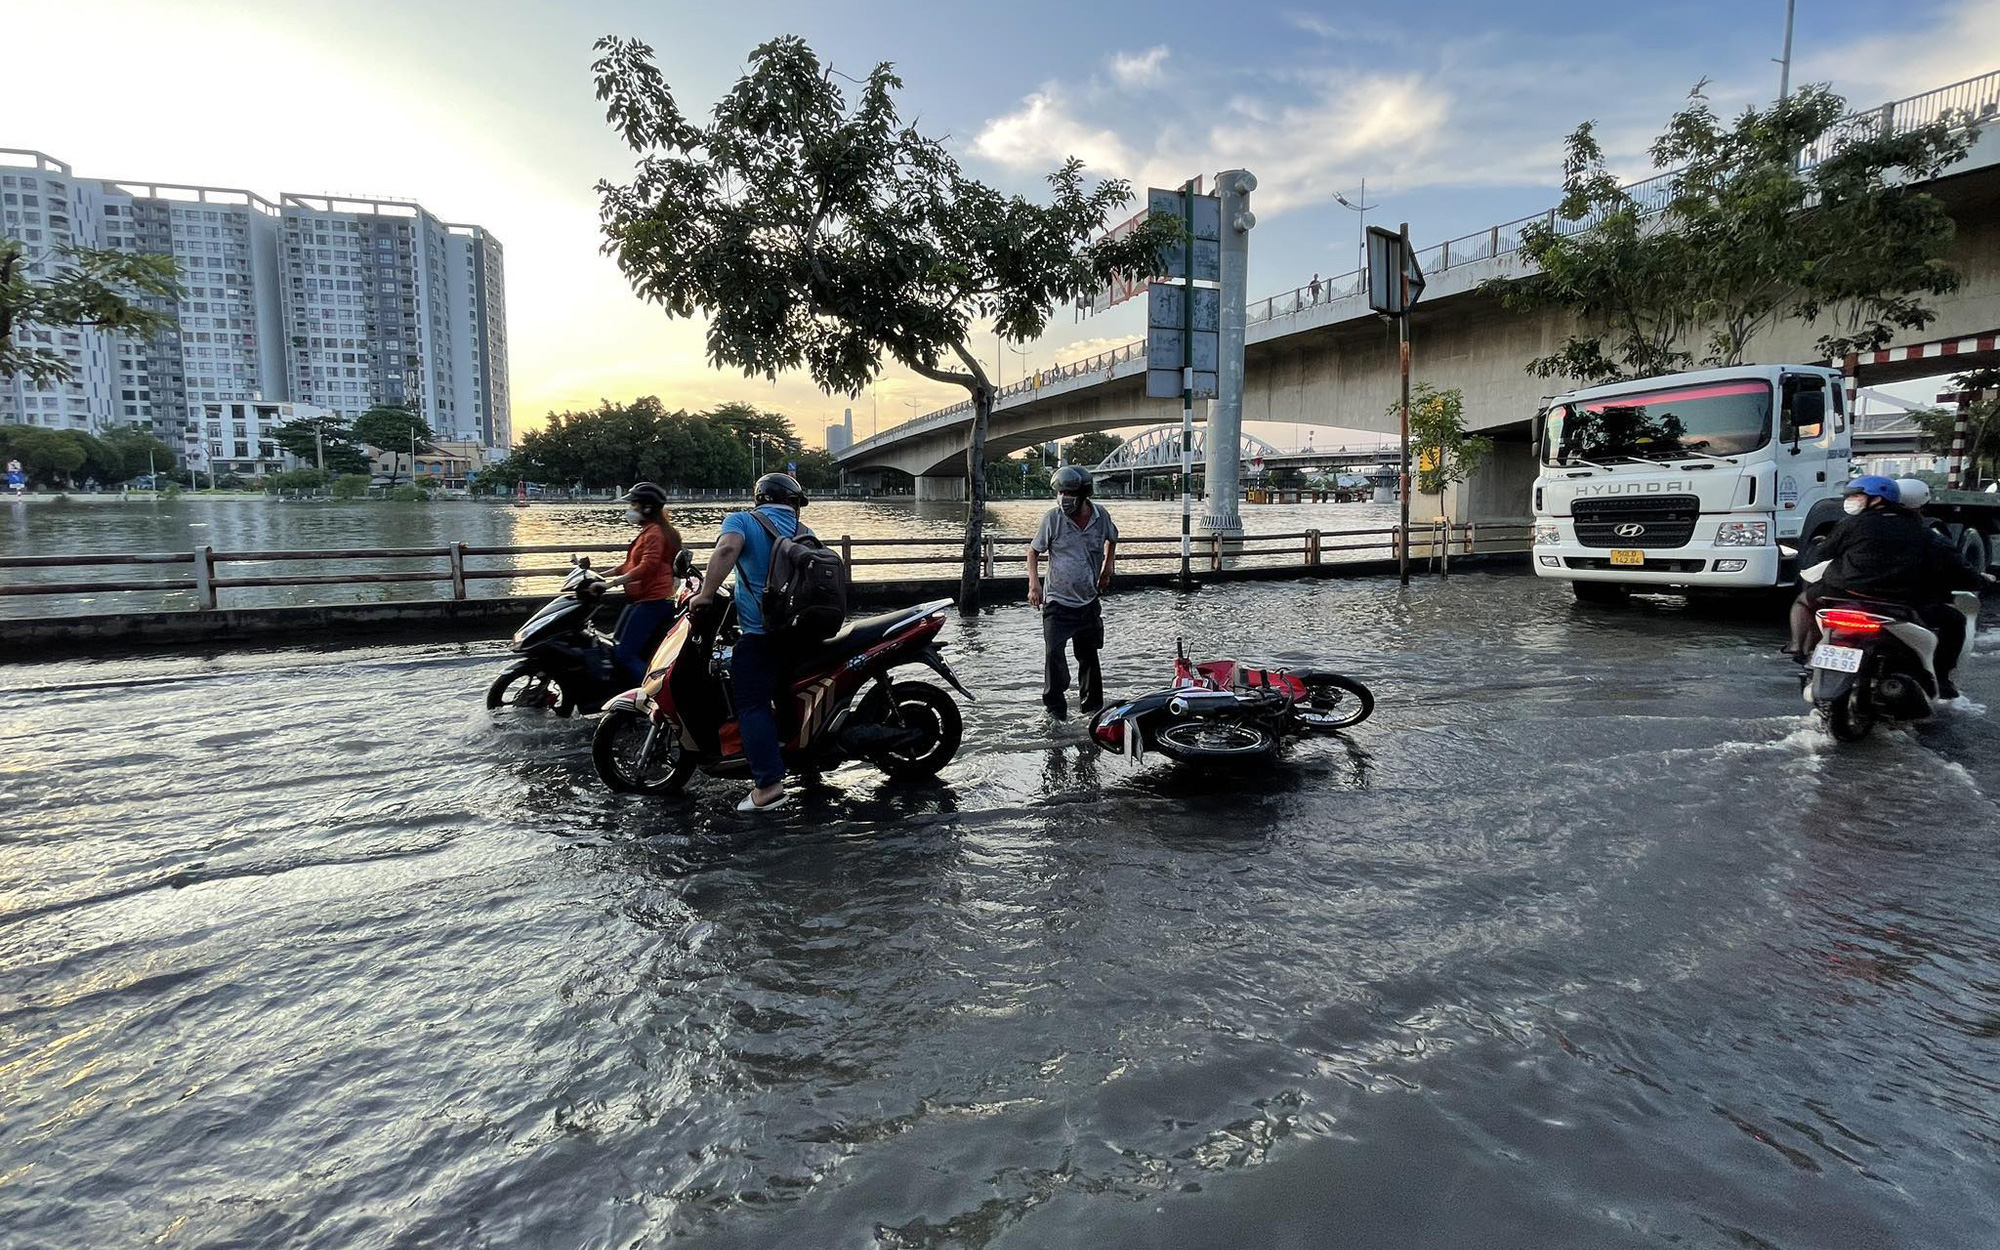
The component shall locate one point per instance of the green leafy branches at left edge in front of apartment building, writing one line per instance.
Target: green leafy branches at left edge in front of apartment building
(91, 289)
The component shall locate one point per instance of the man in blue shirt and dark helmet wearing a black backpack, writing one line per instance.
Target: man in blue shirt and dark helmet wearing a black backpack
(759, 669)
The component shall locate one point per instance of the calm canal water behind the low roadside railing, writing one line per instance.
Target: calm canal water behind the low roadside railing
(95, 525)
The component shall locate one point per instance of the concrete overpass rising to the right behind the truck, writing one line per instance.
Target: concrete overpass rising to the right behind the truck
(1321, 359)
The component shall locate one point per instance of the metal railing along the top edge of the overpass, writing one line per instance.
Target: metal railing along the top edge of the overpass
(1975, 97)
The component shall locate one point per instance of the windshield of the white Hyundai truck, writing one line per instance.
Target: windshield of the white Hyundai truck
(1713, 419)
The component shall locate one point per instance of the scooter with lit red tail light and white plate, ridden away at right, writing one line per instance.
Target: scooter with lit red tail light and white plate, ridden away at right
(1877, 663)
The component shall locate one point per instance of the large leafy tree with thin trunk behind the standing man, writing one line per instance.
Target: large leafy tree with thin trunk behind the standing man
(835, 237)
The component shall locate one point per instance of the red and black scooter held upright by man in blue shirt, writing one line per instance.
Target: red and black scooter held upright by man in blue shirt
(845, 705)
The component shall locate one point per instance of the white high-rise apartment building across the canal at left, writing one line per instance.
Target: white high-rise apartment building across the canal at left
(315, 301)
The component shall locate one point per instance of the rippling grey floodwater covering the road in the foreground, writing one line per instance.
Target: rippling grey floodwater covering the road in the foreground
(1587, 939)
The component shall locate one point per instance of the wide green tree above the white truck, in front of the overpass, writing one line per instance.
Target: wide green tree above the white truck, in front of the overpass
(1739, 237)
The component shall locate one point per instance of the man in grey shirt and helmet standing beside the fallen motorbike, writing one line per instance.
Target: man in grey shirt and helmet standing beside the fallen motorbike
(1083, 549)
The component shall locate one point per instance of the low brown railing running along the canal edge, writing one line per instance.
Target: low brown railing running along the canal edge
(1301, 549)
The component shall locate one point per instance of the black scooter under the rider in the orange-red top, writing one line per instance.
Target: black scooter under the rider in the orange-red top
(567, 663)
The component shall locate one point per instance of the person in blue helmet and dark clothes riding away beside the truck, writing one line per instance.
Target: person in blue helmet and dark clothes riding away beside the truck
(1883, 551)
